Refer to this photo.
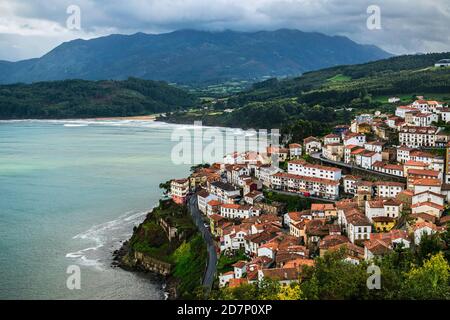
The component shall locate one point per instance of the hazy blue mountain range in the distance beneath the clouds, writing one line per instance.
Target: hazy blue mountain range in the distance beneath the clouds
(192, 57)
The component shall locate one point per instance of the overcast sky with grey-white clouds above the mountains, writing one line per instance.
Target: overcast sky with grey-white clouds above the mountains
(30, 28)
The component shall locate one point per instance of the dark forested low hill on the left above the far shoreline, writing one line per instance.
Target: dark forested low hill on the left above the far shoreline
(84, 99)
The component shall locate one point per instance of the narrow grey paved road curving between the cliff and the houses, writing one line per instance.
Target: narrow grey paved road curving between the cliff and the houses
(208, 278)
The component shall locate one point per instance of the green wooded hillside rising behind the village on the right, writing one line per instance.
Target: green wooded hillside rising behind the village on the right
(312, 103)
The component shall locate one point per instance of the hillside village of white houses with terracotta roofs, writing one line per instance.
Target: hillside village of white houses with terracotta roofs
(380, 182)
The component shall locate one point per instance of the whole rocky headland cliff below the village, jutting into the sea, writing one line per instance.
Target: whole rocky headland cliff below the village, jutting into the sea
(167, 243)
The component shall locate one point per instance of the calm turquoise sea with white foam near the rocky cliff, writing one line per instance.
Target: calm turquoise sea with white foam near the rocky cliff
(70, 192)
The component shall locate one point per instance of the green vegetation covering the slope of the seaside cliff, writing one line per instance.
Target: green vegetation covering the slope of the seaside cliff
(184, 249)
